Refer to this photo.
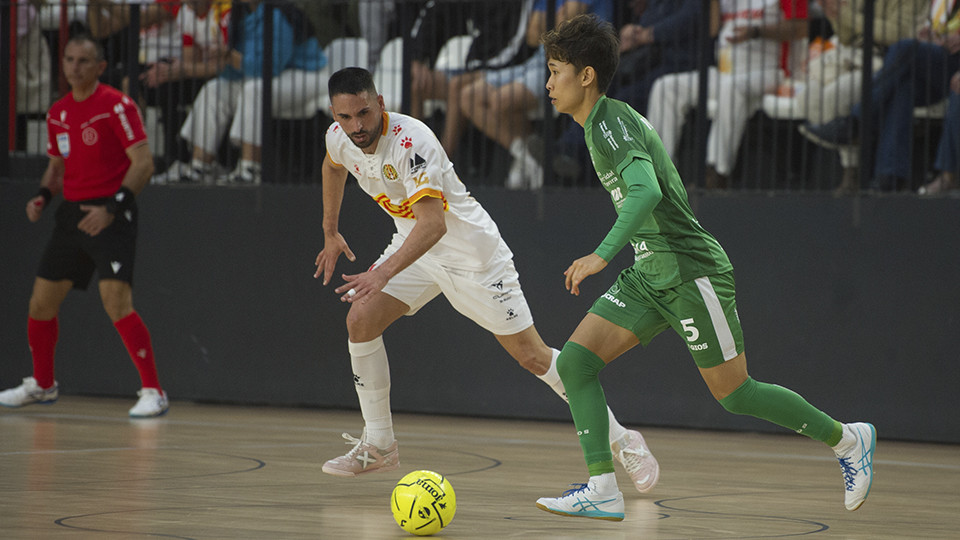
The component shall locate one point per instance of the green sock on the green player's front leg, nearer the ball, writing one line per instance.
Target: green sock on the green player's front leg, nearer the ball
(579, 369)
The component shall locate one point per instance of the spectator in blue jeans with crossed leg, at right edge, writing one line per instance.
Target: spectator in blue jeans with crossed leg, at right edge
(915, 73)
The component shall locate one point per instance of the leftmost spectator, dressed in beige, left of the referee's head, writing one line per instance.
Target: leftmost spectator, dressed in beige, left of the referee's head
(34, 85)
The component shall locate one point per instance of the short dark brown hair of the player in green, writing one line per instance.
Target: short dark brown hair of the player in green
(585, 40)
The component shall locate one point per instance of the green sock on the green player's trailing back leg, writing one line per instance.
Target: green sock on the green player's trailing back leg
(783, 407)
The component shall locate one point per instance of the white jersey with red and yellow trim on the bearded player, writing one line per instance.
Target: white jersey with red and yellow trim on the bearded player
(410, 164)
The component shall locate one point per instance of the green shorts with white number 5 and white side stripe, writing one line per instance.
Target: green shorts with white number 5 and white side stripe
(702, 311)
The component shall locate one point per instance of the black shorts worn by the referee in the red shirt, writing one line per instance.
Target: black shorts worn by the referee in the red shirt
(73, 254)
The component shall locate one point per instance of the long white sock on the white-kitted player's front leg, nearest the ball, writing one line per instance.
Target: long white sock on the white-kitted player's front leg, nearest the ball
(371, 376)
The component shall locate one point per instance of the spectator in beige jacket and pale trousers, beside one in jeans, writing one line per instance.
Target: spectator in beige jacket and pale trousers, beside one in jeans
(834, 77)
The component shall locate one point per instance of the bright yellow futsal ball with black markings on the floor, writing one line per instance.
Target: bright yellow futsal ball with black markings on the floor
(423, 503)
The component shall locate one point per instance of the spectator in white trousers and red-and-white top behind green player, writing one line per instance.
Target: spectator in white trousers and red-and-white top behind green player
(753, 54)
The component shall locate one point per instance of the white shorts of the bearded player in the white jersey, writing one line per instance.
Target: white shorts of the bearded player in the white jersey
(491, 297)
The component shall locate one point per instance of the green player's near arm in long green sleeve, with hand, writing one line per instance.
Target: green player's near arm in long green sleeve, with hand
(643, 195)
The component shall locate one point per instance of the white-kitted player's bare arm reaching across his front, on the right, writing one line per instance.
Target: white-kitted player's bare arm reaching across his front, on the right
(429, 229)
